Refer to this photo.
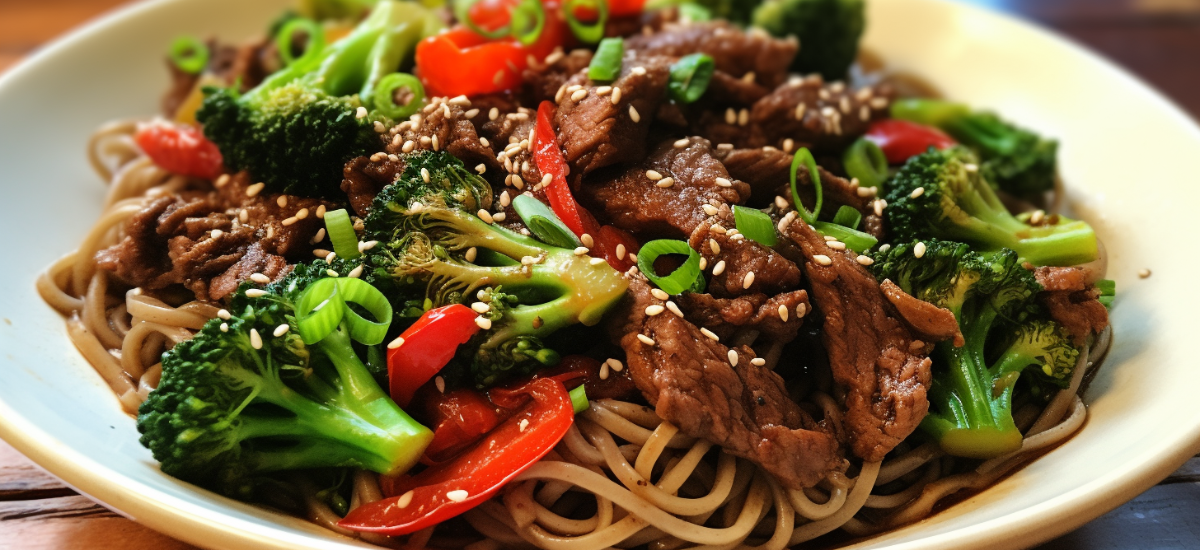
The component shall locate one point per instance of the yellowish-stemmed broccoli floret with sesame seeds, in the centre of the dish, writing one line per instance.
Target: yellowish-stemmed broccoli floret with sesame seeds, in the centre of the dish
(434, 246)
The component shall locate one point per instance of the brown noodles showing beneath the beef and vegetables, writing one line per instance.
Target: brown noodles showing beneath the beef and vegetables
(621, 479)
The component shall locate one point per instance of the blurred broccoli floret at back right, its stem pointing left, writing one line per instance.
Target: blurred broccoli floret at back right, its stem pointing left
(1015, 160)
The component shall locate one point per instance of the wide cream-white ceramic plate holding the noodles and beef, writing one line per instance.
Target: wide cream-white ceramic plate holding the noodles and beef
(1129, 157)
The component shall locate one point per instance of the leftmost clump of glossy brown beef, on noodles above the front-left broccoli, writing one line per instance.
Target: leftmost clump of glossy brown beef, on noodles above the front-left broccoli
(199, 236)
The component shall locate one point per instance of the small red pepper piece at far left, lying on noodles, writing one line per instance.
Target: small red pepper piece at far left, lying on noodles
(181, 150)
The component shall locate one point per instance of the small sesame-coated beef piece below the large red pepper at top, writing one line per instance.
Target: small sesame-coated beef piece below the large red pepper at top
(443, 125)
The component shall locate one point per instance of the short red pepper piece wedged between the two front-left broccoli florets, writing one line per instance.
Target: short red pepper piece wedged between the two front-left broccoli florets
(428, 346)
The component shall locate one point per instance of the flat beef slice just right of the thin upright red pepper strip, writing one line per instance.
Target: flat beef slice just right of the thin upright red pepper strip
(635, 204)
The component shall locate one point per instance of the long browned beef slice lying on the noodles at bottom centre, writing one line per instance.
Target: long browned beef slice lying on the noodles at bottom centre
(745, 409)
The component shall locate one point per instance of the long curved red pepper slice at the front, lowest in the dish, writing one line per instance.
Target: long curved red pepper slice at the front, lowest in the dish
(447, 491)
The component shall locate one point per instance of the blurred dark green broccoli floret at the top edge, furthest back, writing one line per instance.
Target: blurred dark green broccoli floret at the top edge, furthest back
(829, 32)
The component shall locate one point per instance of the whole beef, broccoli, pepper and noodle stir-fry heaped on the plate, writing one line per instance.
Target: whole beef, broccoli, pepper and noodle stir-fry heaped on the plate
(580, 276)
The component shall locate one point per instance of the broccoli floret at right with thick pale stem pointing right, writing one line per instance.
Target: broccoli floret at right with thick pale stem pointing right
(956, 204)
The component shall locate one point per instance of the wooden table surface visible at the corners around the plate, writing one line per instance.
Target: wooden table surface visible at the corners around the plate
(1160, 40)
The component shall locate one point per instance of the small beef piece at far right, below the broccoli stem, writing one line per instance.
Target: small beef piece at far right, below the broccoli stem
(1072, 302)
